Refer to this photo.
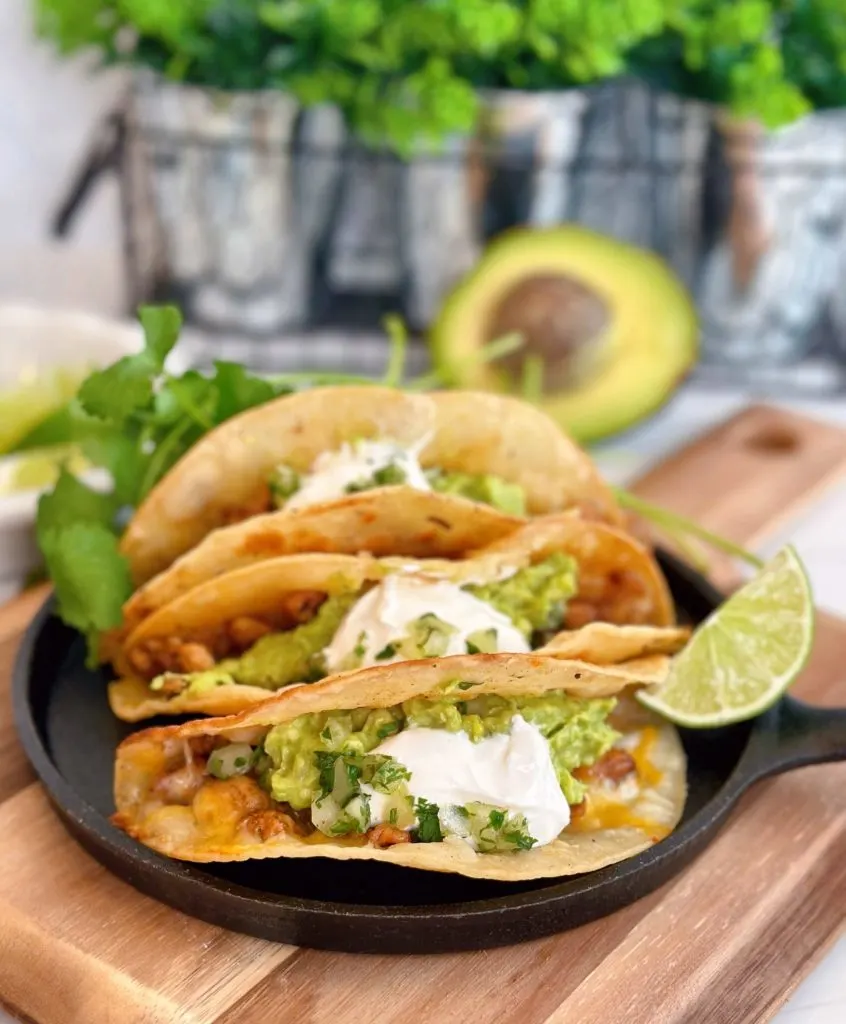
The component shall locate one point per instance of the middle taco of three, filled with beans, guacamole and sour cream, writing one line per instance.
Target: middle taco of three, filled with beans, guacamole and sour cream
(225, 645)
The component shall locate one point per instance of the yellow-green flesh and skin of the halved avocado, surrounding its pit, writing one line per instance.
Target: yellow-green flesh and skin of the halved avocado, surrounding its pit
(656, 330)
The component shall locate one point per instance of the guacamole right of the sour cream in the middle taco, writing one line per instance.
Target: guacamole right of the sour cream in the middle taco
(534, 599)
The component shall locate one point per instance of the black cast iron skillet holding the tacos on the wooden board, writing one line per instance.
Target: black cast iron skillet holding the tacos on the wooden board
(70, 737)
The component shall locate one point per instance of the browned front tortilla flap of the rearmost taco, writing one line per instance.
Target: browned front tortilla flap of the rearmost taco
(384, 522)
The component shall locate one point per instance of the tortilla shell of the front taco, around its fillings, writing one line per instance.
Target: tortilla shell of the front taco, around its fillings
(174, 830)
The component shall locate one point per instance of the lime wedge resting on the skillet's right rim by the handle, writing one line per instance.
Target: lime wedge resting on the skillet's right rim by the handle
(745, 655)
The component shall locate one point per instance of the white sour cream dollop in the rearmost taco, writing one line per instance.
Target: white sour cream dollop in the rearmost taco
(332, 473)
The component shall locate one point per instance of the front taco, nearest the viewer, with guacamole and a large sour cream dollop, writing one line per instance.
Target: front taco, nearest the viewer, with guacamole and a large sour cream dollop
(504, 767)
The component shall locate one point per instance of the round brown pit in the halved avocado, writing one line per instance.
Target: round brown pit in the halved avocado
(562, 321)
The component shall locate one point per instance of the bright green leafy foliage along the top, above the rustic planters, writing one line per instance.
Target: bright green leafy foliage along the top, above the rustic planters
(409, 71)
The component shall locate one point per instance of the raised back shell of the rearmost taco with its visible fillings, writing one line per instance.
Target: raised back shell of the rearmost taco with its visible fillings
(304, 451)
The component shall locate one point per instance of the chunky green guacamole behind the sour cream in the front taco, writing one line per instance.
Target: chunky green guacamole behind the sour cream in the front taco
(577, 732)
